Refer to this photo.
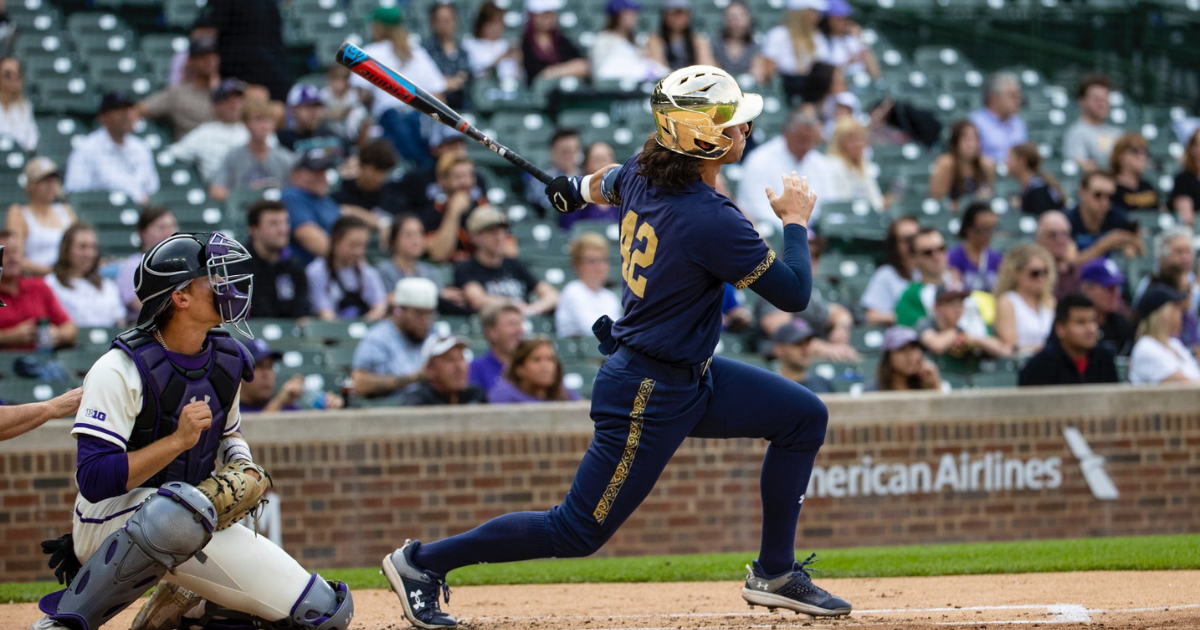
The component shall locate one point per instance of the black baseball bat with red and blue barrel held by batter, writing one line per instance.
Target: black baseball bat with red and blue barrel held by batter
(409, 93)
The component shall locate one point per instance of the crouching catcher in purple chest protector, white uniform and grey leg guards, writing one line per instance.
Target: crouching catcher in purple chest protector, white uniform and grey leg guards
(159, 415)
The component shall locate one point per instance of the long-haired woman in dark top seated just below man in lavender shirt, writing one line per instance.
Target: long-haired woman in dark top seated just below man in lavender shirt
(963, 171)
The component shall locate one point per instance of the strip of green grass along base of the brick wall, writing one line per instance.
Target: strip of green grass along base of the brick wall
(1132, 554)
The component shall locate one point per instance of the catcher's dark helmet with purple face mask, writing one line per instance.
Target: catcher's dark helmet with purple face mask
(183, 259)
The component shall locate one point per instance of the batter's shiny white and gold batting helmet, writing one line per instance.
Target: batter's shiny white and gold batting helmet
(697, 105)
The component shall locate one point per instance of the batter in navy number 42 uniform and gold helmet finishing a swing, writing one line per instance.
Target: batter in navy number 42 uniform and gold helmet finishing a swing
(681, 242)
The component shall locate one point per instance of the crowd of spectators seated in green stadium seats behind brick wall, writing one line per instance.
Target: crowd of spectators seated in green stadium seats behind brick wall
(356, 167)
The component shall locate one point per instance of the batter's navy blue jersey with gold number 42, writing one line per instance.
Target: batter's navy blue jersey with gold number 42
(679, 250)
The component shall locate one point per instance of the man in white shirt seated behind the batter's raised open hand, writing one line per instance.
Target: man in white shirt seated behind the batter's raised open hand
(795, 149)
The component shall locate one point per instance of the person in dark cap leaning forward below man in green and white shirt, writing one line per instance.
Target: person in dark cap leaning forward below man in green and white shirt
(943, 337)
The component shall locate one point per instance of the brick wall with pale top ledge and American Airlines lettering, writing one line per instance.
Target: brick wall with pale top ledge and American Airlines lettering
(395, 476)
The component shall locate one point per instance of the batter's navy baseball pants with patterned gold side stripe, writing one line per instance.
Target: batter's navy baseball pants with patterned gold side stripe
(640, 422)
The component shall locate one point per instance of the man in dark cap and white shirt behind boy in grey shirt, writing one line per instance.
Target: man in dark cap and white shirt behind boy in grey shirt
(208, 145)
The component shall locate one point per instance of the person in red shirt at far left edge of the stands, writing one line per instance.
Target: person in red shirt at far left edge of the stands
(29, 303)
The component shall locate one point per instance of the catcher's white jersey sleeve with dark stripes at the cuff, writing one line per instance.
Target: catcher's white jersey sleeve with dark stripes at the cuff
(112, 399)
